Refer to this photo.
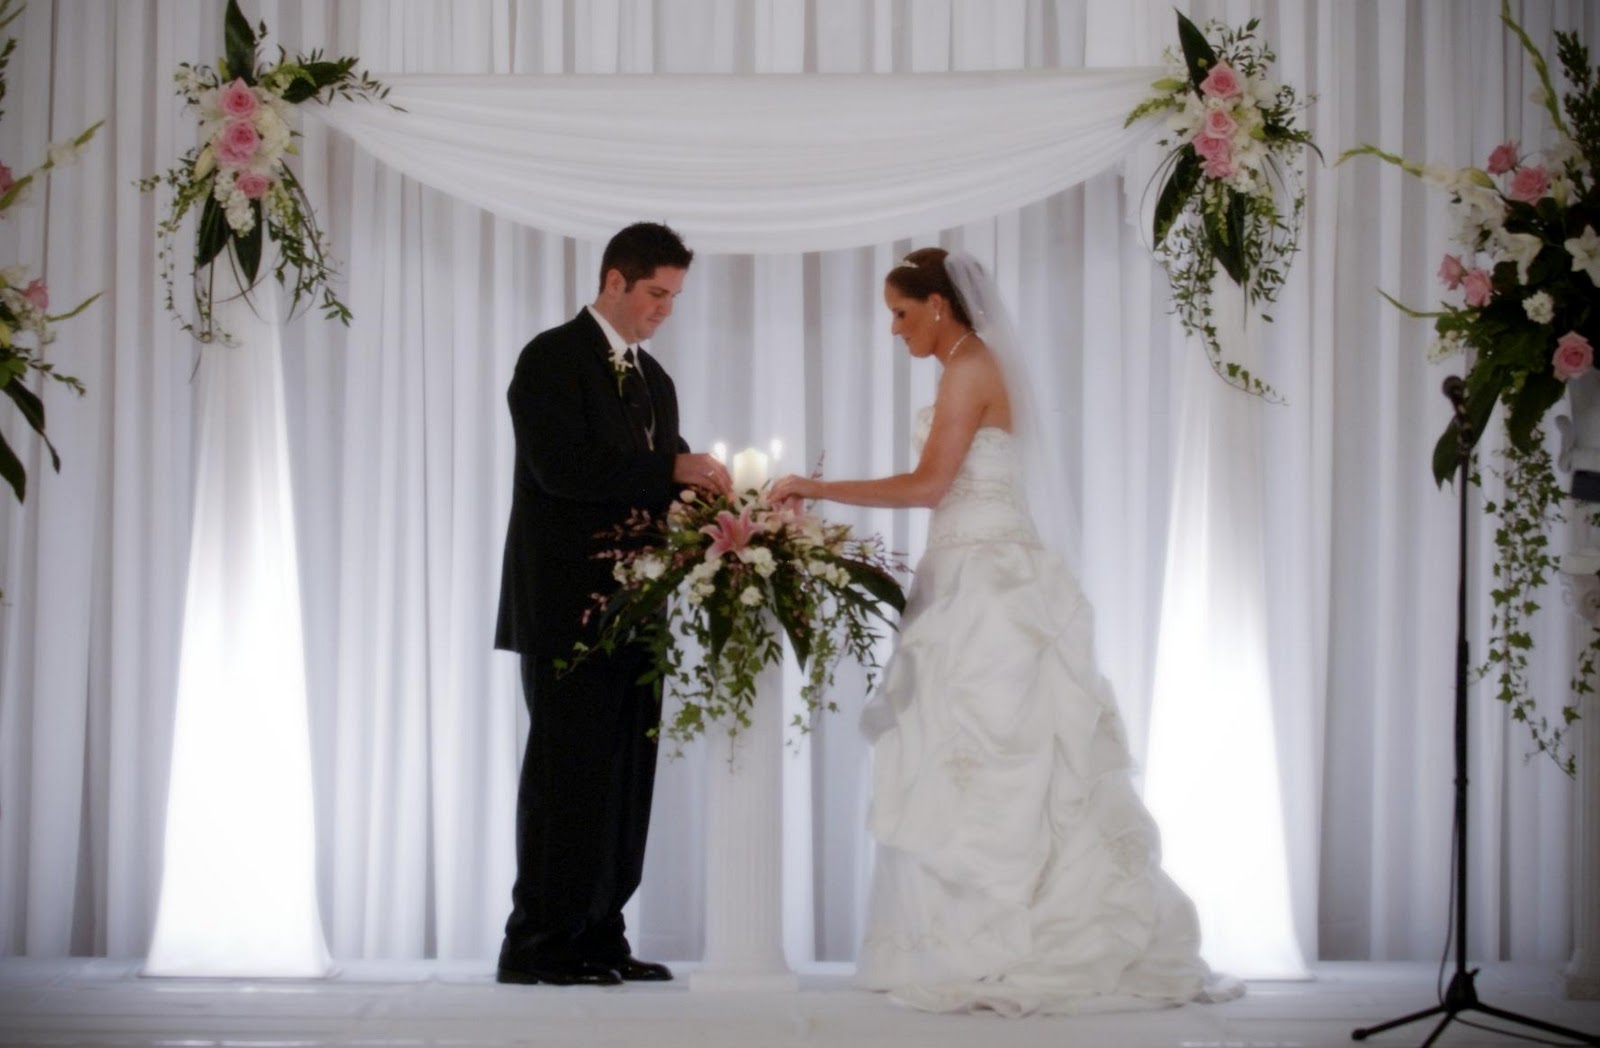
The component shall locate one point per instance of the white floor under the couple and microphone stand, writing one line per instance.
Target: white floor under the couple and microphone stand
(47, 1004)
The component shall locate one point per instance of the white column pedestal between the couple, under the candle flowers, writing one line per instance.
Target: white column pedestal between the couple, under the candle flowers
(745, 916)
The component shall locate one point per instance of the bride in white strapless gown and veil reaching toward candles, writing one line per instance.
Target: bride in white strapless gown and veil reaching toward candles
(1017, 868)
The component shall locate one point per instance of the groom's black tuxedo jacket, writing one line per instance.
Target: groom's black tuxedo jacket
(583, 466)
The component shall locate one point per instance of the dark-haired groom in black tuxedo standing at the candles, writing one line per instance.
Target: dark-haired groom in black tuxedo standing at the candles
(598, 438)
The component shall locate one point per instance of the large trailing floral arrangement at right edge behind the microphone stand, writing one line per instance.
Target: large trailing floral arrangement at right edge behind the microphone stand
(1526, 311)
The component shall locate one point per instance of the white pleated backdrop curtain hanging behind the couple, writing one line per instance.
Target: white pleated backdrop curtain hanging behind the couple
(463, 231)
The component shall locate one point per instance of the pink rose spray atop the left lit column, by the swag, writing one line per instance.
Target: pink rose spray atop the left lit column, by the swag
(239, 178)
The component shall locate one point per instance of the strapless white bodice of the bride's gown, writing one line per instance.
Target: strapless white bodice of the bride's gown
(985, 503)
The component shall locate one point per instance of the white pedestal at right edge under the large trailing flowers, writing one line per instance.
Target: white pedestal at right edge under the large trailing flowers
(1582, 978)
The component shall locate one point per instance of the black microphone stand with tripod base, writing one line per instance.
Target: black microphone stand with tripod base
(1463, 996)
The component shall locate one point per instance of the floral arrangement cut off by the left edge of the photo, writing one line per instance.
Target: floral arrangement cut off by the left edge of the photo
(25, 300)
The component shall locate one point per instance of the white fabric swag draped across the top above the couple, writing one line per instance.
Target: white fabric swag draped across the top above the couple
(815, 164)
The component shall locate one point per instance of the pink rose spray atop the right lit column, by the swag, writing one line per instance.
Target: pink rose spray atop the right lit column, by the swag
(1236, 150)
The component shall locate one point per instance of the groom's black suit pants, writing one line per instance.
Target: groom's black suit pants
(583, 809)
